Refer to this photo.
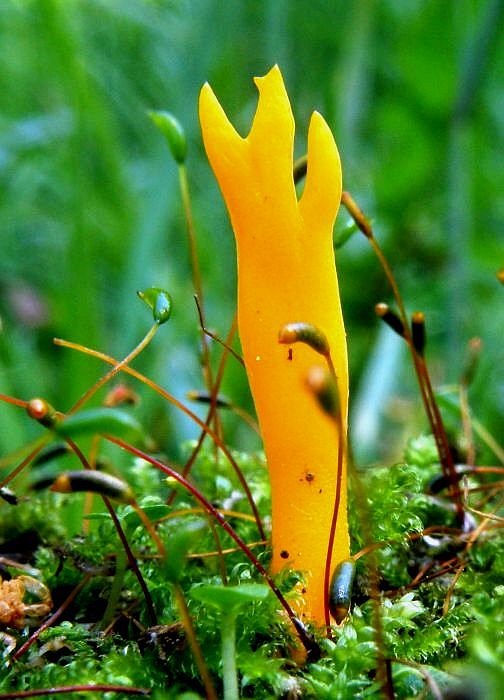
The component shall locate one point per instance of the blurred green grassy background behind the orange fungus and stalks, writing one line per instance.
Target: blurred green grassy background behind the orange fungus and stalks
(90, 209)
